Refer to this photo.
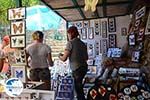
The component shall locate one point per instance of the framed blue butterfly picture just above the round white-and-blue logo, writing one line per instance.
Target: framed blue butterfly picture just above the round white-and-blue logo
(19, 72)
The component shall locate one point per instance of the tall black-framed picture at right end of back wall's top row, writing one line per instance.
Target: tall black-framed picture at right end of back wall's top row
(112, 24)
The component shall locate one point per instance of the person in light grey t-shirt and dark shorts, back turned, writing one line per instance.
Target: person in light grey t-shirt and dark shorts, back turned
(41, 59)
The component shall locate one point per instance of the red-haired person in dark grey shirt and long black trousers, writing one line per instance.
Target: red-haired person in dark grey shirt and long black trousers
(76, 51)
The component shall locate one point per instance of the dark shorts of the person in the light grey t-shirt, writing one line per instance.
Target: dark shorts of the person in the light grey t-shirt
(40, 74)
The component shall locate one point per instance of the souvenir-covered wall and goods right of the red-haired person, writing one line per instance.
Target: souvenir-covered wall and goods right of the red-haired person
(118, 56)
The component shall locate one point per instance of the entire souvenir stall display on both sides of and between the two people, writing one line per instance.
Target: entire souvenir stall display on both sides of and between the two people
(118, 65)
